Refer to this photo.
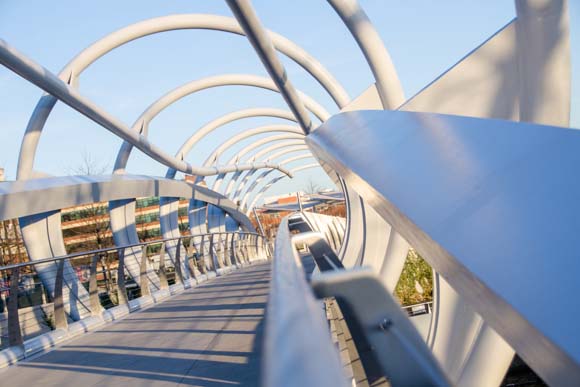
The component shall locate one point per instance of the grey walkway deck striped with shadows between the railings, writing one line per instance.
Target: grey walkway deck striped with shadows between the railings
(207, 336)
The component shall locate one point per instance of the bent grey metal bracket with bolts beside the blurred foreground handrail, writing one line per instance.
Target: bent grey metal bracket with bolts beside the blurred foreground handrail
(398, 348)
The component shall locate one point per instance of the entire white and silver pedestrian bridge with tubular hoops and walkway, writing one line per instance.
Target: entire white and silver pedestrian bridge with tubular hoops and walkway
(477, 173)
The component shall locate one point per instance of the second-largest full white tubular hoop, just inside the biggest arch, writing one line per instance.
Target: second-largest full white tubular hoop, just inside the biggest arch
(141, 125)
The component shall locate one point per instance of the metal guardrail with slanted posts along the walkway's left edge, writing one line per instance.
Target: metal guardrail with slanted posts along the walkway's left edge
(112, 292)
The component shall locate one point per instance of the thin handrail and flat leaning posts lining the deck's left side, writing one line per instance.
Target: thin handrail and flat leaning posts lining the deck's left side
(251, 244)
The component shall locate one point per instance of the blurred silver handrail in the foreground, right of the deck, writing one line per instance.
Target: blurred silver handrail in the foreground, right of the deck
(298, 349)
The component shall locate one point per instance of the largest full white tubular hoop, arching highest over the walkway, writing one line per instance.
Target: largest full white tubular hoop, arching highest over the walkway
(77, 65)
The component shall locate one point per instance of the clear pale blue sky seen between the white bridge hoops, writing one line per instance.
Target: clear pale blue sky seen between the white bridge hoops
(424, 39)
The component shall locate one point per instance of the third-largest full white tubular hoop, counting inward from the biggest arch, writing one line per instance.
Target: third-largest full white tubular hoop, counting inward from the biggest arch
(223, 120)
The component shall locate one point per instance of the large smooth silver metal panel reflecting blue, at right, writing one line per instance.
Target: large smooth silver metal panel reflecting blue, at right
(483, 187)
